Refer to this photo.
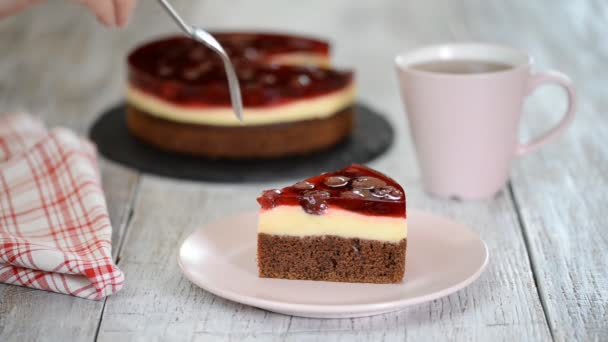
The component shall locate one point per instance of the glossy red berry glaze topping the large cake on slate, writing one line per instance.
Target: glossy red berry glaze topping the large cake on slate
(185, 72)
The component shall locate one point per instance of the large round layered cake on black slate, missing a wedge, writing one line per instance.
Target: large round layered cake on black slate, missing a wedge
(178, 98)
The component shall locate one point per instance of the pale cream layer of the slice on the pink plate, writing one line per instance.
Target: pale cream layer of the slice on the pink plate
(294, 221)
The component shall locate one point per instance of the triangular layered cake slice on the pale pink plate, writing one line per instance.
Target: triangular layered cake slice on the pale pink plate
(348, 226)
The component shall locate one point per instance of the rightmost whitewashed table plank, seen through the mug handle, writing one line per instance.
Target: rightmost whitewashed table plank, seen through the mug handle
(562, 190)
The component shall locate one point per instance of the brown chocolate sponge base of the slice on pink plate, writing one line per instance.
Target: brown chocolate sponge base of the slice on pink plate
(331, 258)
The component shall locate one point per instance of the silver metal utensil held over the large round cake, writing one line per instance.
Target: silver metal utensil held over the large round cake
(204, 37)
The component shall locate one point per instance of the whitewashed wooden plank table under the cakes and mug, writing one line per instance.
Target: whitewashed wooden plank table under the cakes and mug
(547, 232)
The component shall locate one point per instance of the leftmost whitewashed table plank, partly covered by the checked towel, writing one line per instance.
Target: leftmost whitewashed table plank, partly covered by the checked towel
(56, 68)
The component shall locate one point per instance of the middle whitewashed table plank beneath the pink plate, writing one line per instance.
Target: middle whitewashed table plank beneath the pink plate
(160, 304)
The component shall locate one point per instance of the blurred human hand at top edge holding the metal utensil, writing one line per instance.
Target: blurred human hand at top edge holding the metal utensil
(108, 12)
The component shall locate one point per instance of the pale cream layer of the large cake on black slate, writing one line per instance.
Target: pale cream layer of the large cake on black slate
(319, 107)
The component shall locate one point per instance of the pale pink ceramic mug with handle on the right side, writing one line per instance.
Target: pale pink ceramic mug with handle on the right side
(464, 123)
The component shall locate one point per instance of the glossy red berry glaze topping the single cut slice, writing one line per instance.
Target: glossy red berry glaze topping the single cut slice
(355, 188)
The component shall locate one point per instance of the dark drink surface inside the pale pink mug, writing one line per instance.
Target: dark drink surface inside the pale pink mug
(461, 66)
